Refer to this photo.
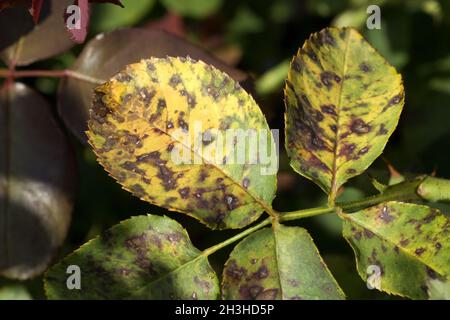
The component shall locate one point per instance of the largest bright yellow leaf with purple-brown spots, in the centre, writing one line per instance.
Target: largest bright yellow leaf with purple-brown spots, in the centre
(160, 129)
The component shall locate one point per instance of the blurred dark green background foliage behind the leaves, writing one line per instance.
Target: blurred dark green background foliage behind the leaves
(260, 37)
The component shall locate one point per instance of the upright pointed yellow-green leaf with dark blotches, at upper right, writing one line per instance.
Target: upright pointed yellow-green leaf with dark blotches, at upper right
(343, 101)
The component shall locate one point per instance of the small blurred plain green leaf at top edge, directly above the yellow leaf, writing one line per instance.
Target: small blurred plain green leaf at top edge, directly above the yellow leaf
(193, 8)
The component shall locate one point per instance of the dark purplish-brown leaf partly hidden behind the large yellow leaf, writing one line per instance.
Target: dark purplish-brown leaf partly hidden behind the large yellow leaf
(107, 54)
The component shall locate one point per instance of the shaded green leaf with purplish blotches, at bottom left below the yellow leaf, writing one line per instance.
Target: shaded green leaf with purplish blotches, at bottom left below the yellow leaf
(145, 257)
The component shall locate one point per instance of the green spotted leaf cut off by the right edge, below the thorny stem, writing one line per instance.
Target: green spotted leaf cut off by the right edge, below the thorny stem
(407, 243)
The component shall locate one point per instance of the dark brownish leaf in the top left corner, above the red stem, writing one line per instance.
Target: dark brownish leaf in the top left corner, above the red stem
(22, 42)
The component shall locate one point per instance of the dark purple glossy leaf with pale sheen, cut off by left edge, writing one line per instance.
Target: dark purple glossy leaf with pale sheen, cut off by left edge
(37, 182)
